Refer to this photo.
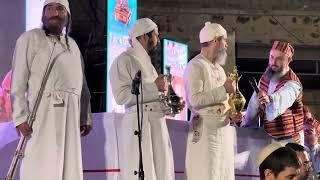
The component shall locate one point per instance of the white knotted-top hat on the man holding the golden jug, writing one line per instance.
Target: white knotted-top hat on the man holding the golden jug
(211, 31)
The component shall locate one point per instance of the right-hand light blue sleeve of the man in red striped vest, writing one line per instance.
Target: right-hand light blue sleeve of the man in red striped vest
(282, 99)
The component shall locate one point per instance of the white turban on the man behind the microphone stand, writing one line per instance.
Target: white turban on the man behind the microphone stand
(142, 26)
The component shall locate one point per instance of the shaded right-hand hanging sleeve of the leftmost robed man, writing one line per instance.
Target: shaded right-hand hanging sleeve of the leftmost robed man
(85, 113)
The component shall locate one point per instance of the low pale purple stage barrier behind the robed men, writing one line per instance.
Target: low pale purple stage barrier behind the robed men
(100, 153)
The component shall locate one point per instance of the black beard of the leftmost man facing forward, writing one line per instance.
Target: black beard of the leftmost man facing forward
(56, 28)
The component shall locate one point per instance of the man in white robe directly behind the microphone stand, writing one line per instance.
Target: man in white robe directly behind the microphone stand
(156, 144)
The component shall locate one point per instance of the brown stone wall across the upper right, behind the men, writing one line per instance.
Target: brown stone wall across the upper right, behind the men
(252, 21)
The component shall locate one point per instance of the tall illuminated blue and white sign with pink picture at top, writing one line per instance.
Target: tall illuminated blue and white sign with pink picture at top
(121, 15)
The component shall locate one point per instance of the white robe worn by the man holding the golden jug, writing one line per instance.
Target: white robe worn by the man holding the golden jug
(210, 155)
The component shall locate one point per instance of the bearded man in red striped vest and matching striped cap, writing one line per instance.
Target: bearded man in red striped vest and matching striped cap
(279, 101)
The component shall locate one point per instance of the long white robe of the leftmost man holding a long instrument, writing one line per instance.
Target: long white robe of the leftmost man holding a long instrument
(54, 151)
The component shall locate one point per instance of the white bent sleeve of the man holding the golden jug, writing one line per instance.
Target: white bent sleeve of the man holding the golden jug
(197, 97)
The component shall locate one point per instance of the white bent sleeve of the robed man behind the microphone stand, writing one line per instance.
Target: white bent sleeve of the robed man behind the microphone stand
(121, 74)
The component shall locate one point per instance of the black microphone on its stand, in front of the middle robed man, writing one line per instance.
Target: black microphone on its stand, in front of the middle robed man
(135, 91)
